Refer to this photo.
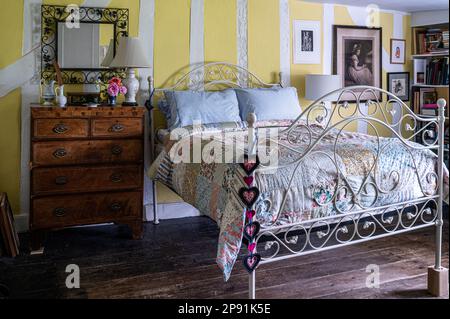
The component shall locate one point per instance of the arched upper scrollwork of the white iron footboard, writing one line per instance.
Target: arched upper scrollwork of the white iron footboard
(318, 123)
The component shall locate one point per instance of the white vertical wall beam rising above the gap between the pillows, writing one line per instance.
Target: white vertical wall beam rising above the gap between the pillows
(242, 36)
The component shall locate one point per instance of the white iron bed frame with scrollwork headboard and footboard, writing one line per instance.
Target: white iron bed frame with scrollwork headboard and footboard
(361, 223)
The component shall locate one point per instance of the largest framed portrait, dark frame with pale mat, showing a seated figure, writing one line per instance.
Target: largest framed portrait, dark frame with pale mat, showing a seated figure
(357, 58)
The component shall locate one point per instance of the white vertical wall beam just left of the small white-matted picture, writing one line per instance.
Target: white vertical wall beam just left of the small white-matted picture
(285, 43)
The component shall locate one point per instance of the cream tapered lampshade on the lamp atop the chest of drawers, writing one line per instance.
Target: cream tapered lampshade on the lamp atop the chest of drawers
(130, 54)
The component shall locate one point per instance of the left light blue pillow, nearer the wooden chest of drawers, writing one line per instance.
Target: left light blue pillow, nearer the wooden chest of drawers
(207, 107)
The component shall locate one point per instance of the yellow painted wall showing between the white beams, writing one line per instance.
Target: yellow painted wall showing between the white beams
(171, 55)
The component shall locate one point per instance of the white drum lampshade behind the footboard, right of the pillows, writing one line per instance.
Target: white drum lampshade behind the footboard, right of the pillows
(318, 85)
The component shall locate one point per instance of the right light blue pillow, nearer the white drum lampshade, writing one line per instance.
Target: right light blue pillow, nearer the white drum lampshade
(269, 104)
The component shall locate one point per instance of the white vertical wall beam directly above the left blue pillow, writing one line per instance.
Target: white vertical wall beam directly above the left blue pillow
(197, 43)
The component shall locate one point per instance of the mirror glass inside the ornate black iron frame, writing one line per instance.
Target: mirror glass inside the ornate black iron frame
(87, 47)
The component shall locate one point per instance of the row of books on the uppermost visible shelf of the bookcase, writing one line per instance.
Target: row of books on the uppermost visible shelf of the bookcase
(431, 41)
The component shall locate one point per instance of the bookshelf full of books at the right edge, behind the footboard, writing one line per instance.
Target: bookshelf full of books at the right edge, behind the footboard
(430, 80)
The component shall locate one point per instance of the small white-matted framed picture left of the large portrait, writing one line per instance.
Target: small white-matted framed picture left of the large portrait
(307, 42)
